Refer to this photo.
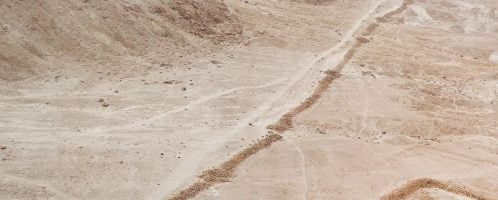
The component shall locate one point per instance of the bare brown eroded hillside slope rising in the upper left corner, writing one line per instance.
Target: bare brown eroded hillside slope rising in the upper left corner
(36, 35)
